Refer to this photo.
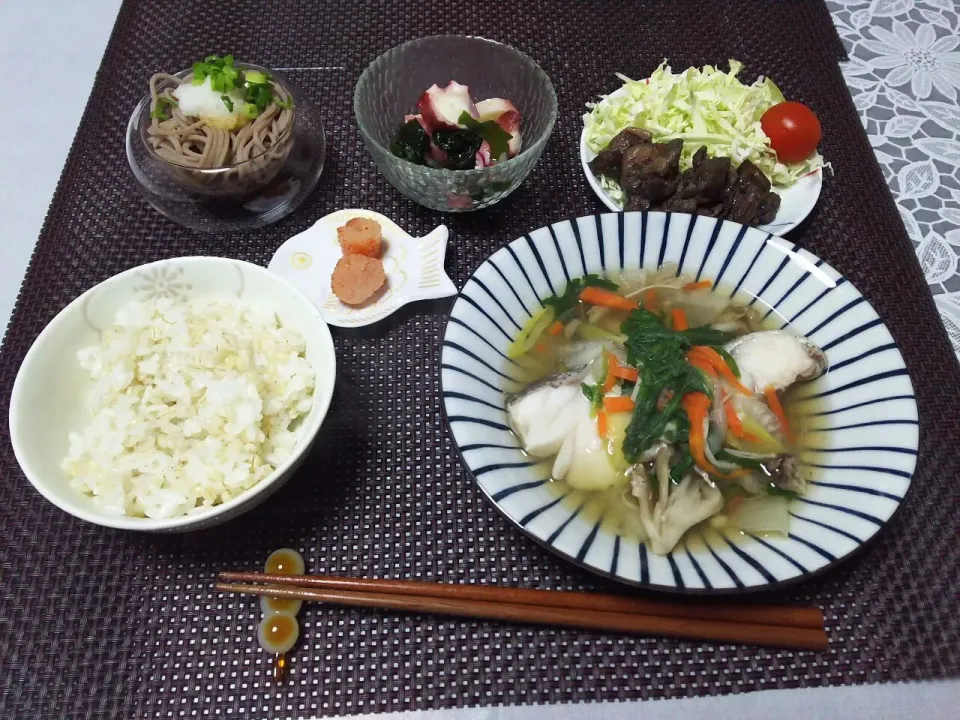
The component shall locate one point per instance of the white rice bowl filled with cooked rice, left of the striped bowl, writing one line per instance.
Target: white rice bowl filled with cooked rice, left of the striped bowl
(173, 396)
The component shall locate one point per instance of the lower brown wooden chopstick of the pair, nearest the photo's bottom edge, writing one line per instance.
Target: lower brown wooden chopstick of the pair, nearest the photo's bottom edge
(671, 626)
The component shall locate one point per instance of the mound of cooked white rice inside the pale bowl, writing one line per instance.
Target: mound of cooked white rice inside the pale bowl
(192, 403)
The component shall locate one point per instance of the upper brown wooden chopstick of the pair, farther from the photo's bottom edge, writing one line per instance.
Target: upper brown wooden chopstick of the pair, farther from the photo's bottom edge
(806, 617)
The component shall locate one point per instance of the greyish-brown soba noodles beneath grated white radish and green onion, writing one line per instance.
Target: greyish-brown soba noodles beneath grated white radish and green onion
(252, 154)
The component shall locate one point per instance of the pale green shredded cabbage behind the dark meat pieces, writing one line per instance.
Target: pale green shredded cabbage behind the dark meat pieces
(701, 107)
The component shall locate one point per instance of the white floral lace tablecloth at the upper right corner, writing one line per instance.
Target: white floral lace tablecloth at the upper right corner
(904, 75)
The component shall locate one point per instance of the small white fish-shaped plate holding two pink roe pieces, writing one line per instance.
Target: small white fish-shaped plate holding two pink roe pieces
(414, 268)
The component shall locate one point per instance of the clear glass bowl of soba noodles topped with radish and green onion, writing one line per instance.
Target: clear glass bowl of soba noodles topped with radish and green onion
(225, 145)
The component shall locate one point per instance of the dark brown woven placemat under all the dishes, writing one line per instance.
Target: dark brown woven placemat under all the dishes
(102, 623)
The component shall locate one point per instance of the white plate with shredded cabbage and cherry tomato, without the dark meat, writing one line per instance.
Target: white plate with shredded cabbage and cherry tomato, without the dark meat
(707, 107)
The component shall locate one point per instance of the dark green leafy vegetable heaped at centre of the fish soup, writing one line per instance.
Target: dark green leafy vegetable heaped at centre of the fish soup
(659, 353)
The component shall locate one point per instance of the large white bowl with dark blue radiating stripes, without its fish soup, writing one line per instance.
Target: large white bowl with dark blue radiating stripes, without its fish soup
(865, 438)
